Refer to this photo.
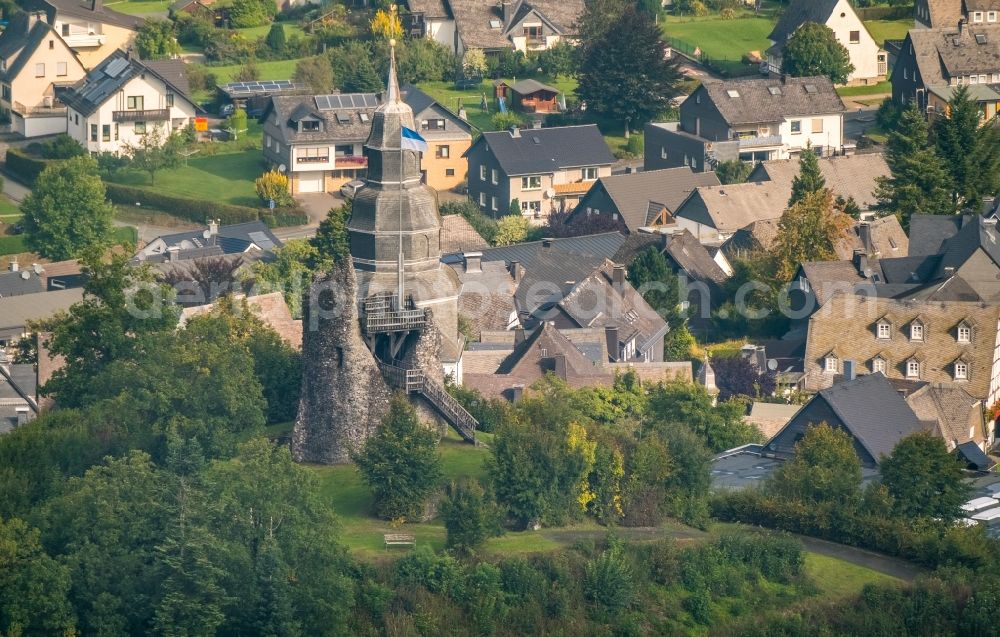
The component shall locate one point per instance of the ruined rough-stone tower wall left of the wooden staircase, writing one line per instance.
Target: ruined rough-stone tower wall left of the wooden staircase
(344, 397)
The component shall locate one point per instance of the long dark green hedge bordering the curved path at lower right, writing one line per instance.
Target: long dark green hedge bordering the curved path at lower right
(929, 544)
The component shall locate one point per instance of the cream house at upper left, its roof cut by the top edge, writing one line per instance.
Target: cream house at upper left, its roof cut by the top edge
(88, 27)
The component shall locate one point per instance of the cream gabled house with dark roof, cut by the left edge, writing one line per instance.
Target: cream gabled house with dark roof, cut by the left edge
(34, 61)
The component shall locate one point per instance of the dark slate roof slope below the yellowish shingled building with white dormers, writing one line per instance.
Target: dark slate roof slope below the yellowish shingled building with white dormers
(874, 412)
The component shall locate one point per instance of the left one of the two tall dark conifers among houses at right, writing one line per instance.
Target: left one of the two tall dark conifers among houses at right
(920, 182)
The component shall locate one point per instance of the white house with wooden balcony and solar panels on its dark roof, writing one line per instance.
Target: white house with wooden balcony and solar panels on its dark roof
(123, 99)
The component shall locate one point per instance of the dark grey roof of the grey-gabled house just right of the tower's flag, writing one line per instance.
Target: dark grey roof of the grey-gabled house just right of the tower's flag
(544, 150)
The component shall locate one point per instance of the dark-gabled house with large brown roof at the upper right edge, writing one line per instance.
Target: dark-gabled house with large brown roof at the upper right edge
(933, 62)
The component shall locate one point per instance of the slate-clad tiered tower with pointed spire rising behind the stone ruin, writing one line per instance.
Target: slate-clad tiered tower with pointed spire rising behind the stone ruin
(395, 227)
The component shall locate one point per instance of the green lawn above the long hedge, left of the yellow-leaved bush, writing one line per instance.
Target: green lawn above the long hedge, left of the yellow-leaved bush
(226, 178)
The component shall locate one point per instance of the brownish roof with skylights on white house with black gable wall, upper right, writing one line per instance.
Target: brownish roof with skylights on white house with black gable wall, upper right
(757, 103)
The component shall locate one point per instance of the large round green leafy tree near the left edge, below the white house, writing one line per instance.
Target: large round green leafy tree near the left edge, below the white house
(67, 212)
